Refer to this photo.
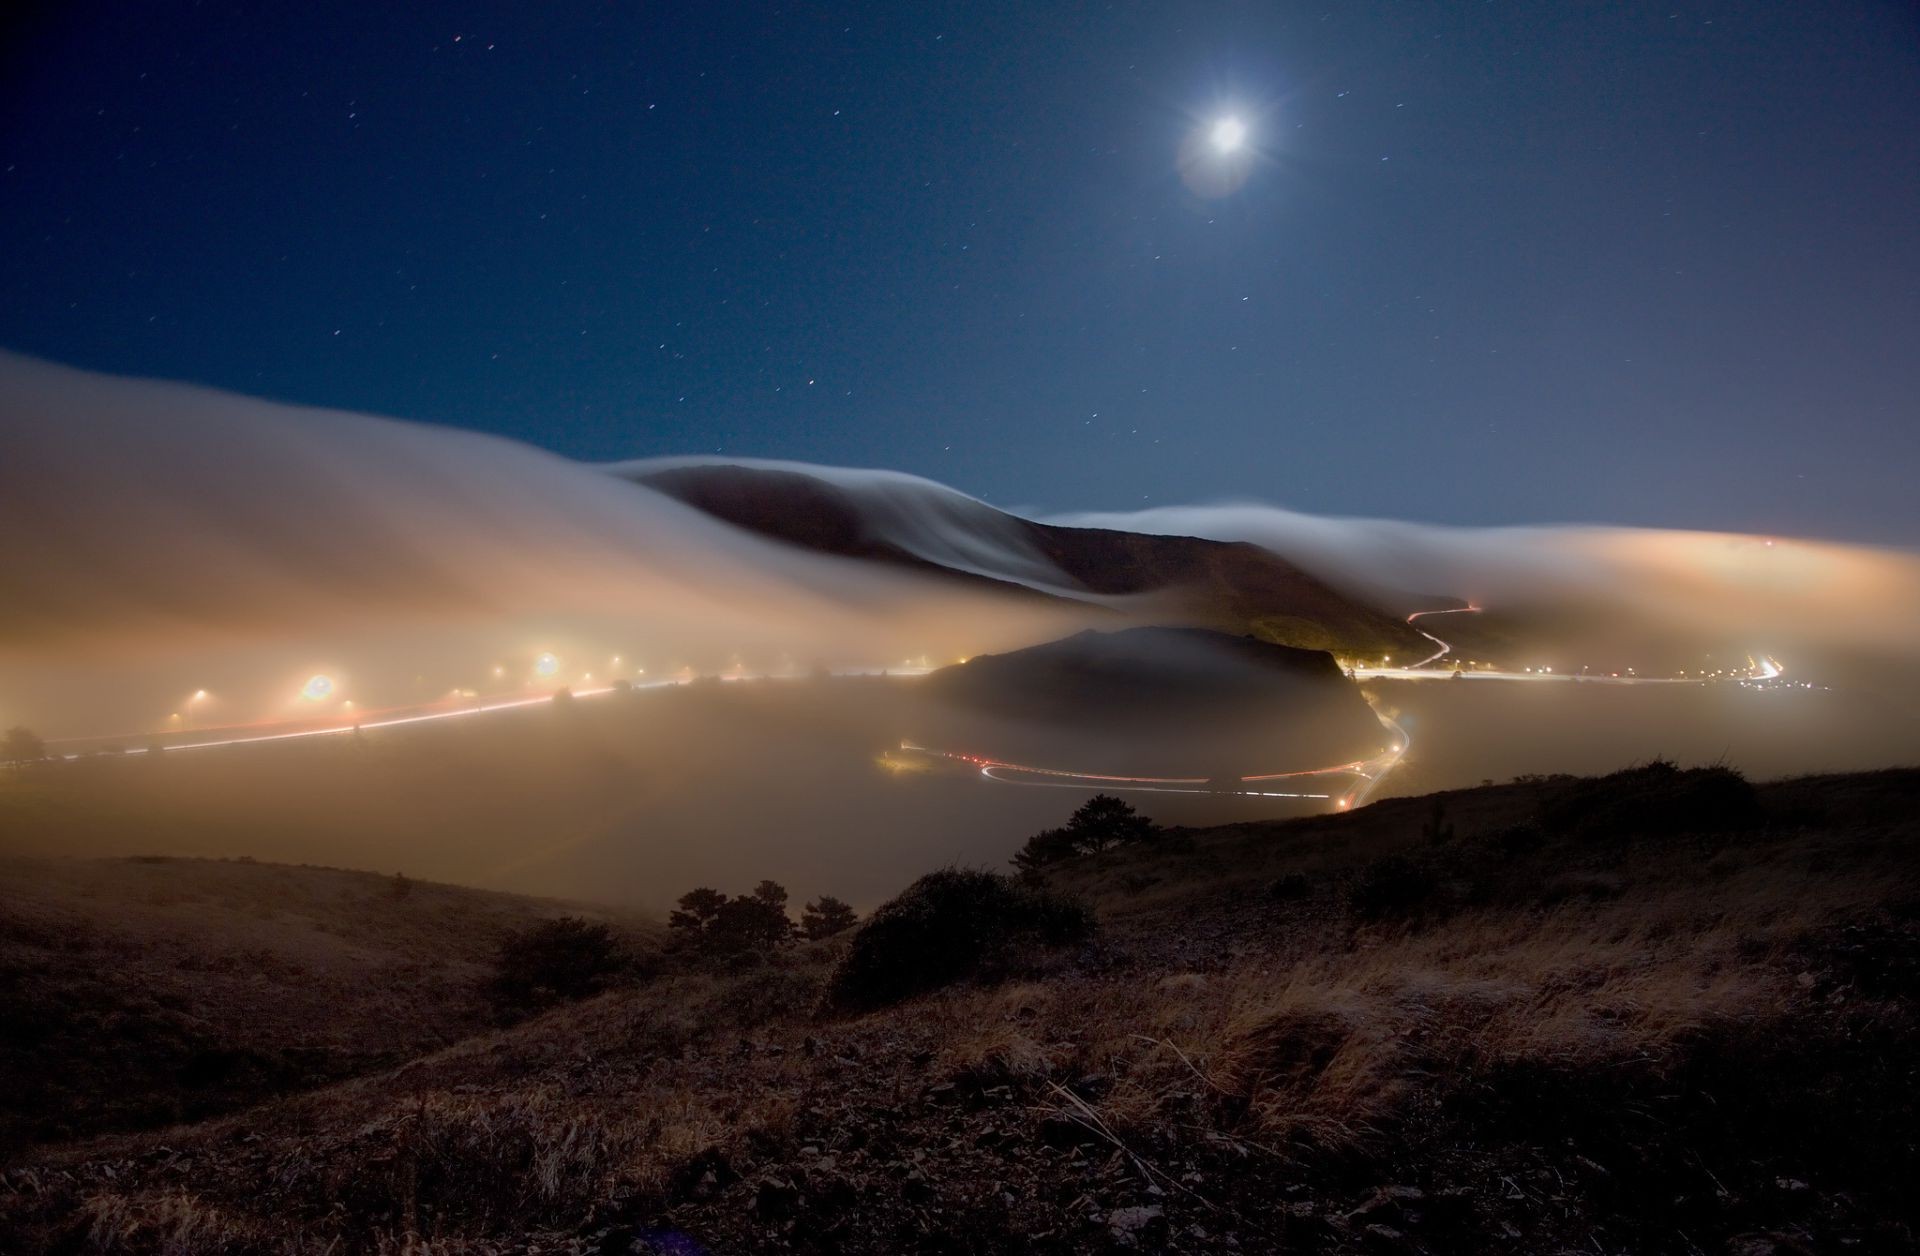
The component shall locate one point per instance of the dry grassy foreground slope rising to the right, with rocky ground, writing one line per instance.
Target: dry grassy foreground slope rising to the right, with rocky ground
(1652, 1013)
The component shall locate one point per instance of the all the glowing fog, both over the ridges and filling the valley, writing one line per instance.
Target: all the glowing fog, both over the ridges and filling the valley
(168, 541)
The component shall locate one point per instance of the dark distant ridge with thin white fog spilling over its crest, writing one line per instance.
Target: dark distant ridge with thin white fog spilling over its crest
(903, 521)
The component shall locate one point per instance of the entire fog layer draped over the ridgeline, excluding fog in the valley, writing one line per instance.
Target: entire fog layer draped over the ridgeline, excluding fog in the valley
(168, 539)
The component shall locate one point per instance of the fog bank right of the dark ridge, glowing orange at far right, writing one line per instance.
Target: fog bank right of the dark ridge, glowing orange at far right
(1835, 614)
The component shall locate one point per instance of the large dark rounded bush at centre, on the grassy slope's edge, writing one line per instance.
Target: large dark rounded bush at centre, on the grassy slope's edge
(951, 927)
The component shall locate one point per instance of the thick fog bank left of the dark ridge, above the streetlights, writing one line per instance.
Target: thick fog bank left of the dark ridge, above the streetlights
(191, 541)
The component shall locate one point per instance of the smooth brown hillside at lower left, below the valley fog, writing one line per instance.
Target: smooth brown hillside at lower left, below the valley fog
(143, 992)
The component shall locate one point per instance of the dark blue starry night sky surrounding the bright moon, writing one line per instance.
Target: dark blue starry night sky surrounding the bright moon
(1495, 262)
